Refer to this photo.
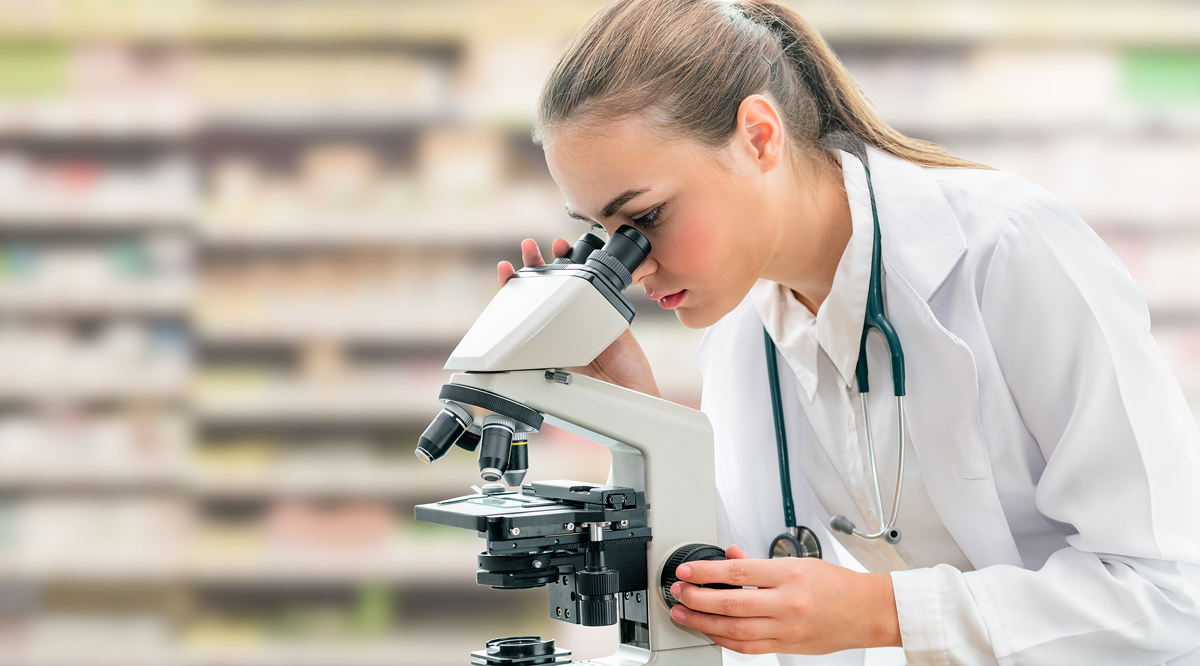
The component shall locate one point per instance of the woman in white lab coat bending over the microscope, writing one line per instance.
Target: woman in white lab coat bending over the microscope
(1051, 511)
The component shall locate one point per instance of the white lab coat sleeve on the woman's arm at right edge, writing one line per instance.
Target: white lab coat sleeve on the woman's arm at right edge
(1072, 337)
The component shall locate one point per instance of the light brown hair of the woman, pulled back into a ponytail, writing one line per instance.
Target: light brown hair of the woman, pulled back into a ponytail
(687, 65)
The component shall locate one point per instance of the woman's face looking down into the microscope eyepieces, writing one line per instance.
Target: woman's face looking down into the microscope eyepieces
(710, 226)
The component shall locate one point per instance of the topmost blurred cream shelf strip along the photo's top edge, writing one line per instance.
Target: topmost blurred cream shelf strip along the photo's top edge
(1171, 23)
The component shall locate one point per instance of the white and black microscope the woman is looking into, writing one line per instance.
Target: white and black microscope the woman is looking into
(608, 554)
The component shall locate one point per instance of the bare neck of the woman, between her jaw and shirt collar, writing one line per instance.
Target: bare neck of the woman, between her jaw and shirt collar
(814, 230)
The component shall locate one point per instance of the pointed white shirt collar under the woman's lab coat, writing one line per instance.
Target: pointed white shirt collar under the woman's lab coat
(838, 326)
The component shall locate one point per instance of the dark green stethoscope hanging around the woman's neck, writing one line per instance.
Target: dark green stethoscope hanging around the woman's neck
(800, 541)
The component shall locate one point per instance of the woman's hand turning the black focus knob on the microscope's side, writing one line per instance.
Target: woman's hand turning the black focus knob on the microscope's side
(801, 605)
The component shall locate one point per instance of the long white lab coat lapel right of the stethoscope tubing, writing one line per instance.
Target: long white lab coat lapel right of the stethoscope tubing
(922, 244)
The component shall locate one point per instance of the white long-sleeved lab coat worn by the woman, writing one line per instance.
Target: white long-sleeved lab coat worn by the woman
(1051, 435)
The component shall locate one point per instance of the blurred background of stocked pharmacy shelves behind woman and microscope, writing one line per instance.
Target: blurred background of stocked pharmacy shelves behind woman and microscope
(239, 238)
